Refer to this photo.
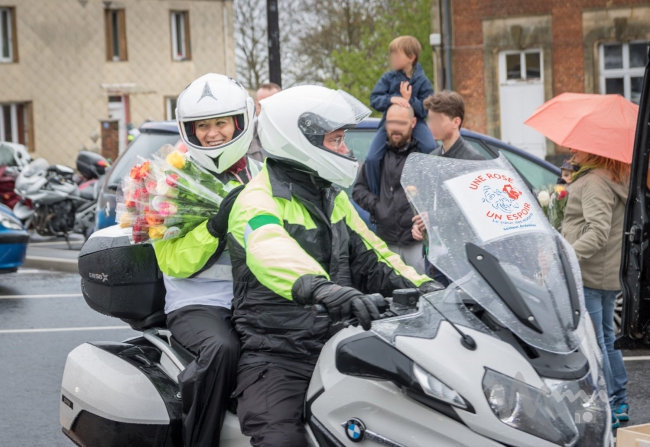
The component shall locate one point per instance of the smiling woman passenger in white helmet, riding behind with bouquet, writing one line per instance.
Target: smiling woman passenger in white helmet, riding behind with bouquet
(215, 118)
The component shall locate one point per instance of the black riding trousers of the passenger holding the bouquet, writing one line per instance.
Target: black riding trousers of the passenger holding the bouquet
(207, 382)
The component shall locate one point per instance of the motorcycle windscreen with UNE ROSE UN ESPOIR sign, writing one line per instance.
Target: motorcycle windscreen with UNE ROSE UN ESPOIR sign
(487, 234)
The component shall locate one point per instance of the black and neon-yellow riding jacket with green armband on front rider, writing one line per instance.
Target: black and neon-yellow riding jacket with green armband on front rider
(318, 225)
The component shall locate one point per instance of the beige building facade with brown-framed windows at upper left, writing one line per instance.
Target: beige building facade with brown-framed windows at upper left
(68, 67)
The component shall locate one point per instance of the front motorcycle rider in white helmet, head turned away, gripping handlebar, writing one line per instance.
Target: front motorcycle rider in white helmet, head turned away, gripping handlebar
(296, 240)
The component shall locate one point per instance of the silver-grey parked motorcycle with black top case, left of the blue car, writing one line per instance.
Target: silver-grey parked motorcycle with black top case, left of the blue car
(60, 205)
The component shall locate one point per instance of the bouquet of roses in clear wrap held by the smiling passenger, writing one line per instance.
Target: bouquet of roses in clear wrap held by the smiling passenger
(167, 196)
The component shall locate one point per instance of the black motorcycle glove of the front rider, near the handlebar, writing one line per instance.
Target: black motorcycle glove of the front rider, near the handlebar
(345, 302)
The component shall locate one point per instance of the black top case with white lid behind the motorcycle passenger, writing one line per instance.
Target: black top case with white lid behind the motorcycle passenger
(121, 279)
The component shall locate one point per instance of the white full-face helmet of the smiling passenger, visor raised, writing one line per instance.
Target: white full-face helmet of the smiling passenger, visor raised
(213, 96)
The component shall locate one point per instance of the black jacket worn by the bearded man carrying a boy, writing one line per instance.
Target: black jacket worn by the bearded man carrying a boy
(391, 210)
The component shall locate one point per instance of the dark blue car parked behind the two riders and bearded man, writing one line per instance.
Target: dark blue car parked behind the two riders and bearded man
(535, 171)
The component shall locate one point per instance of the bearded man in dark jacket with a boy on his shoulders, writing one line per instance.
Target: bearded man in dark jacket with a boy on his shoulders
(390, 209)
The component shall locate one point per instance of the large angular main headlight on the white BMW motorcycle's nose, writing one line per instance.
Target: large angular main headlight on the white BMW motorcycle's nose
(529, 409)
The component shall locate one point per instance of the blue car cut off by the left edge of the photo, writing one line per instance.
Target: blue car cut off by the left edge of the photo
(13, 241)
